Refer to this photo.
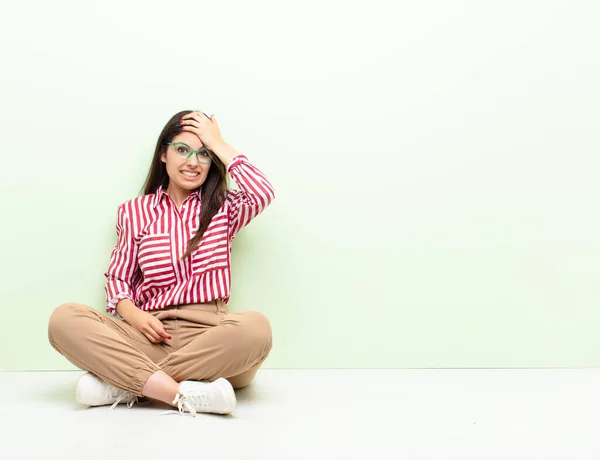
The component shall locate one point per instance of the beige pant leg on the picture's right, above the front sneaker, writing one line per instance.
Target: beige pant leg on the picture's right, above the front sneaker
(230, 345)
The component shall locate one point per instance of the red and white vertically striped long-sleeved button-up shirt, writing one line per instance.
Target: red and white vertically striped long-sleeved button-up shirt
(145, 265)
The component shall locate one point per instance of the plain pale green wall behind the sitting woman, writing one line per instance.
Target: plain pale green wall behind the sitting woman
(436, 168)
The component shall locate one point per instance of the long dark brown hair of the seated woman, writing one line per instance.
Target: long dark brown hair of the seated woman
(214, 188)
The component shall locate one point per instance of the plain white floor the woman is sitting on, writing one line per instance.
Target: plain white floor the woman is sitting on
(321, 414)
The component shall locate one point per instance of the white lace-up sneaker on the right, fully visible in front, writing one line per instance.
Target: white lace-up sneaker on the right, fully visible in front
(217, 397)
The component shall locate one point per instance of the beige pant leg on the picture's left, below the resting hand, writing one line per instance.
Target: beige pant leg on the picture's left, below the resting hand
(110, 349)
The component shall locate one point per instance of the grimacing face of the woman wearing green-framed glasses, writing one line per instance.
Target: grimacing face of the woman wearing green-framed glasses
(186, 174)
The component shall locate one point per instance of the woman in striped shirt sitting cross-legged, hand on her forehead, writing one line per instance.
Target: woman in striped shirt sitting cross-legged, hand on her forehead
(169, 279)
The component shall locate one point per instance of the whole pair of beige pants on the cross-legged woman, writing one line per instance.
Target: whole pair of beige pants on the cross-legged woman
(208, 342)
